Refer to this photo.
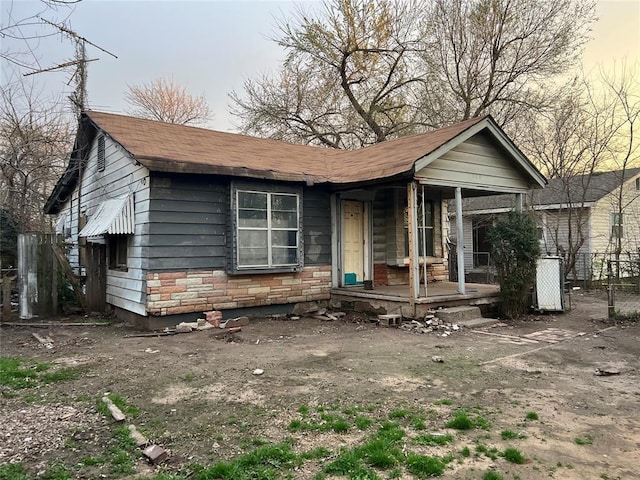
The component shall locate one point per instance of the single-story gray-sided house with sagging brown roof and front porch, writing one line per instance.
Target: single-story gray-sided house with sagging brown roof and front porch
(166, 221)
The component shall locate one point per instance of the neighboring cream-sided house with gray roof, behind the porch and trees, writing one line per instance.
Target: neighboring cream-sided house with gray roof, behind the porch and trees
(585, 219)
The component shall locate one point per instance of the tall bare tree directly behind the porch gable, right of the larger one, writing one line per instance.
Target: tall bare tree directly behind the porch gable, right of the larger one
(499, 57)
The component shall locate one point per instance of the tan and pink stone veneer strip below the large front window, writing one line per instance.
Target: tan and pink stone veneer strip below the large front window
(197, 291)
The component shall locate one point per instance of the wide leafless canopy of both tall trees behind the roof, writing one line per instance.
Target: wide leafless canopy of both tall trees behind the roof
(363, 71)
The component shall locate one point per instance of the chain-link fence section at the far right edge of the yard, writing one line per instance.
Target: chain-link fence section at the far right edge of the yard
(623, 287)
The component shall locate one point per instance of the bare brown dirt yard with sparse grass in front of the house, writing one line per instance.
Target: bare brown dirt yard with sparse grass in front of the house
(197, 396)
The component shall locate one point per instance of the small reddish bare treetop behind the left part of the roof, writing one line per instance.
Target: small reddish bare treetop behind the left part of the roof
(166, 101)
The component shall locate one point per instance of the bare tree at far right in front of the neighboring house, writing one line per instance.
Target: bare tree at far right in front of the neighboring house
(590, 129)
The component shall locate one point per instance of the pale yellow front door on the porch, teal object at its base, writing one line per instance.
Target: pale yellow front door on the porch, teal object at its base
(353, 241)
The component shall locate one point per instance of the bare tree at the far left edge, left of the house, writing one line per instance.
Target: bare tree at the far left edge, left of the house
(35, 141)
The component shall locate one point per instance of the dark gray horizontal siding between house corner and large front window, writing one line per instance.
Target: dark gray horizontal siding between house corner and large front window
(187, 223)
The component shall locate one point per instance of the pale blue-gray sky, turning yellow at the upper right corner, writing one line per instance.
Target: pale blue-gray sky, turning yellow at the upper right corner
(210, 47)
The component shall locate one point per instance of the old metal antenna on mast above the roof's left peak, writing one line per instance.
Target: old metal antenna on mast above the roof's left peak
(79, 96)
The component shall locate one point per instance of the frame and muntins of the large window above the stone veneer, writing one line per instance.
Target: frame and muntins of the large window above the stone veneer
(270, 191)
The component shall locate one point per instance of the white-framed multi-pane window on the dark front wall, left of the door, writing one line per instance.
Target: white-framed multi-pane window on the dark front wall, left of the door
(267, 229)
